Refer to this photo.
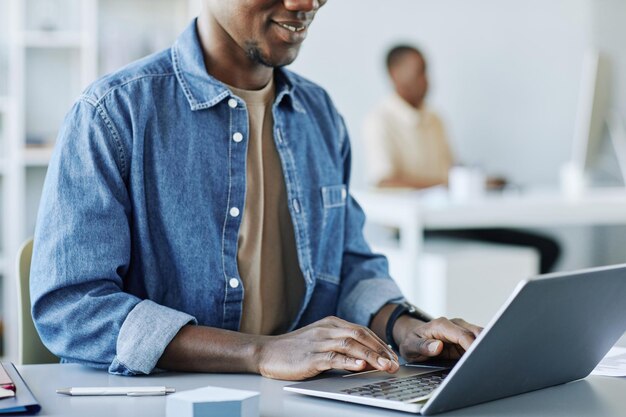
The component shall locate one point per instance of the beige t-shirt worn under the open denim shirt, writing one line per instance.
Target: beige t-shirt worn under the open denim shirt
(267, 258)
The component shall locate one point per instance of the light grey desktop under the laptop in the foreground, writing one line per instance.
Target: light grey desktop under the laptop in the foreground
(593, 396)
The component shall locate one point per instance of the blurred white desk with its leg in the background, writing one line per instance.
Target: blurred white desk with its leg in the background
(412, 212)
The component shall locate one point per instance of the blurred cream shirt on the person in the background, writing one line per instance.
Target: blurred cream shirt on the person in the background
(402, 141)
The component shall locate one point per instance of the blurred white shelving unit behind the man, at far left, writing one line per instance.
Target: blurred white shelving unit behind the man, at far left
(55, 49)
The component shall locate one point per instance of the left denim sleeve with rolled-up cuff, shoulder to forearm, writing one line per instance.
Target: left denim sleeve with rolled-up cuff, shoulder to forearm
(82, 253)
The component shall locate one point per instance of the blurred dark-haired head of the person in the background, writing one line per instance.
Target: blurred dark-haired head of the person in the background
(407, 69)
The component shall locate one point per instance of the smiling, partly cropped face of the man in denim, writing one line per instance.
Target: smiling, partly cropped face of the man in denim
(268, 32)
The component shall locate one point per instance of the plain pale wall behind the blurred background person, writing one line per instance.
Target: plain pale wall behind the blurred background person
(504, 73)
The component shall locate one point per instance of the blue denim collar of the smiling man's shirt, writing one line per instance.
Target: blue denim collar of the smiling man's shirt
(204, 91)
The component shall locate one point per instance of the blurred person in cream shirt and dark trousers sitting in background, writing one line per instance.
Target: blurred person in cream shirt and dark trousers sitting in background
(407, 147)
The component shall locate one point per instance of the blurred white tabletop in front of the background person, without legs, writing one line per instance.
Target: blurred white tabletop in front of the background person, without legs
(533, 208)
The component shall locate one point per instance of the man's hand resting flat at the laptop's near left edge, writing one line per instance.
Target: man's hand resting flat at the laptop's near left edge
(330, 343)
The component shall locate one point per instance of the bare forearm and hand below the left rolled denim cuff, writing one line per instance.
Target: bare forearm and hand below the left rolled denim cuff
(330, 343)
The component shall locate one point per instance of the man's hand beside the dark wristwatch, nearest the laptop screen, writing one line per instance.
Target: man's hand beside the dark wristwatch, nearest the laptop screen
(448, 339)
